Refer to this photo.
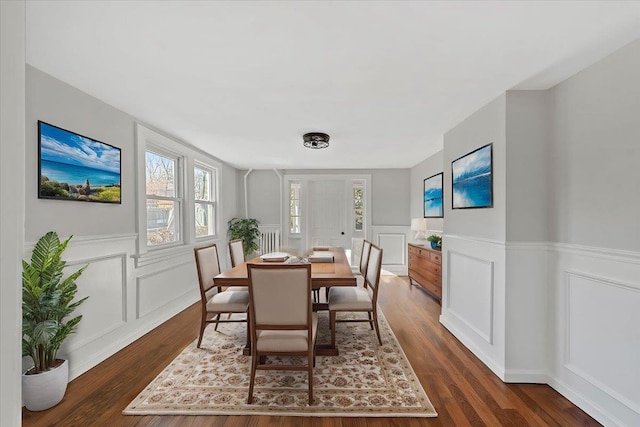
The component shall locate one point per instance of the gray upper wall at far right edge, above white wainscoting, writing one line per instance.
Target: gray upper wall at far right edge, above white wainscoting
(595, 154)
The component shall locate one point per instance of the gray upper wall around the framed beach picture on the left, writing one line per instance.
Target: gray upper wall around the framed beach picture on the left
(59, 104)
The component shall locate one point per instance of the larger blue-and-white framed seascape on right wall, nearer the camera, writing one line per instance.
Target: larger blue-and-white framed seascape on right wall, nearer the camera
(472, 177)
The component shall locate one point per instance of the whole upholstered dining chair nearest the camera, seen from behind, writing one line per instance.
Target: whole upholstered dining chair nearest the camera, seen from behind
(281, 318)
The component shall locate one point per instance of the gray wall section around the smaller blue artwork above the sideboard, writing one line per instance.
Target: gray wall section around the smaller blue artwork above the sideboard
(425, 169)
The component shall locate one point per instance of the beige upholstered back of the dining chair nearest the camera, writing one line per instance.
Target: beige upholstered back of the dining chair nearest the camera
(280, 296)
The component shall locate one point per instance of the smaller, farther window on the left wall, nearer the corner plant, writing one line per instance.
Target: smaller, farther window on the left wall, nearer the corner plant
(205, 201)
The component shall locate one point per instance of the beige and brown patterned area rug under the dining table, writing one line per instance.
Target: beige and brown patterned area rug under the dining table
(365, 380)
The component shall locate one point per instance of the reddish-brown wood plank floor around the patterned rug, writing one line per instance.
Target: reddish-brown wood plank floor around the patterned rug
(462, 389)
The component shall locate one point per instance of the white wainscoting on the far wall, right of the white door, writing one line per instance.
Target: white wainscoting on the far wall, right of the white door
(393, 241)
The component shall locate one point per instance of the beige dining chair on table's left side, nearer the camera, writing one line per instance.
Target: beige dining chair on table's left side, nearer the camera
(213, 301)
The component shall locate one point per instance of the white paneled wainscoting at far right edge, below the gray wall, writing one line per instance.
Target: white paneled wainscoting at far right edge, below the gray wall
(595, 334)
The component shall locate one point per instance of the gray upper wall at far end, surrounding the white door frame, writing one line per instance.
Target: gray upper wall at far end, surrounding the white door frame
(390, 193)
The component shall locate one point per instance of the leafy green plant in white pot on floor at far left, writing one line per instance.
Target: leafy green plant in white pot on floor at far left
(47, 303)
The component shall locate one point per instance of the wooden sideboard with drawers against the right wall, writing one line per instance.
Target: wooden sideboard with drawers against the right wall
(425, 268)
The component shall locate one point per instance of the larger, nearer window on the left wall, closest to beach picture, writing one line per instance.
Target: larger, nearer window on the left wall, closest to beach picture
(163, 198)
